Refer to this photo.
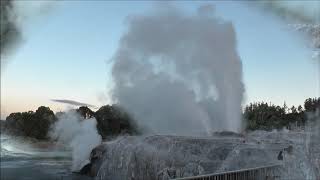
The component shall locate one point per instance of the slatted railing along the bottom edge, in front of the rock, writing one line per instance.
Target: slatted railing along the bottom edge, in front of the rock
(270, 172)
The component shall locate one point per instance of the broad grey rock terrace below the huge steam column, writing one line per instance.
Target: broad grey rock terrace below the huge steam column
(165, 157)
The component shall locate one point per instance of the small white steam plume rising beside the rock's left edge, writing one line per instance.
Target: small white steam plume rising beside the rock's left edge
(78, 133)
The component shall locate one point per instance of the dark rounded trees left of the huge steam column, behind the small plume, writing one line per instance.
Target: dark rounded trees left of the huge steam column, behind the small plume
(112, 120)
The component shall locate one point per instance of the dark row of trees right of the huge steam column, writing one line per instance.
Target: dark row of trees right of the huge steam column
(264, 116)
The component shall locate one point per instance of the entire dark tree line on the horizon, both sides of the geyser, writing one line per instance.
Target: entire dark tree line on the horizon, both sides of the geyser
(112, 120)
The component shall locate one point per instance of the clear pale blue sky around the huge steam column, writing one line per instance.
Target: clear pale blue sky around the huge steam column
(66, 55)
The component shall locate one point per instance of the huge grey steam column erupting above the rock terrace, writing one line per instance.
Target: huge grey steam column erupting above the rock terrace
(179, 74)
